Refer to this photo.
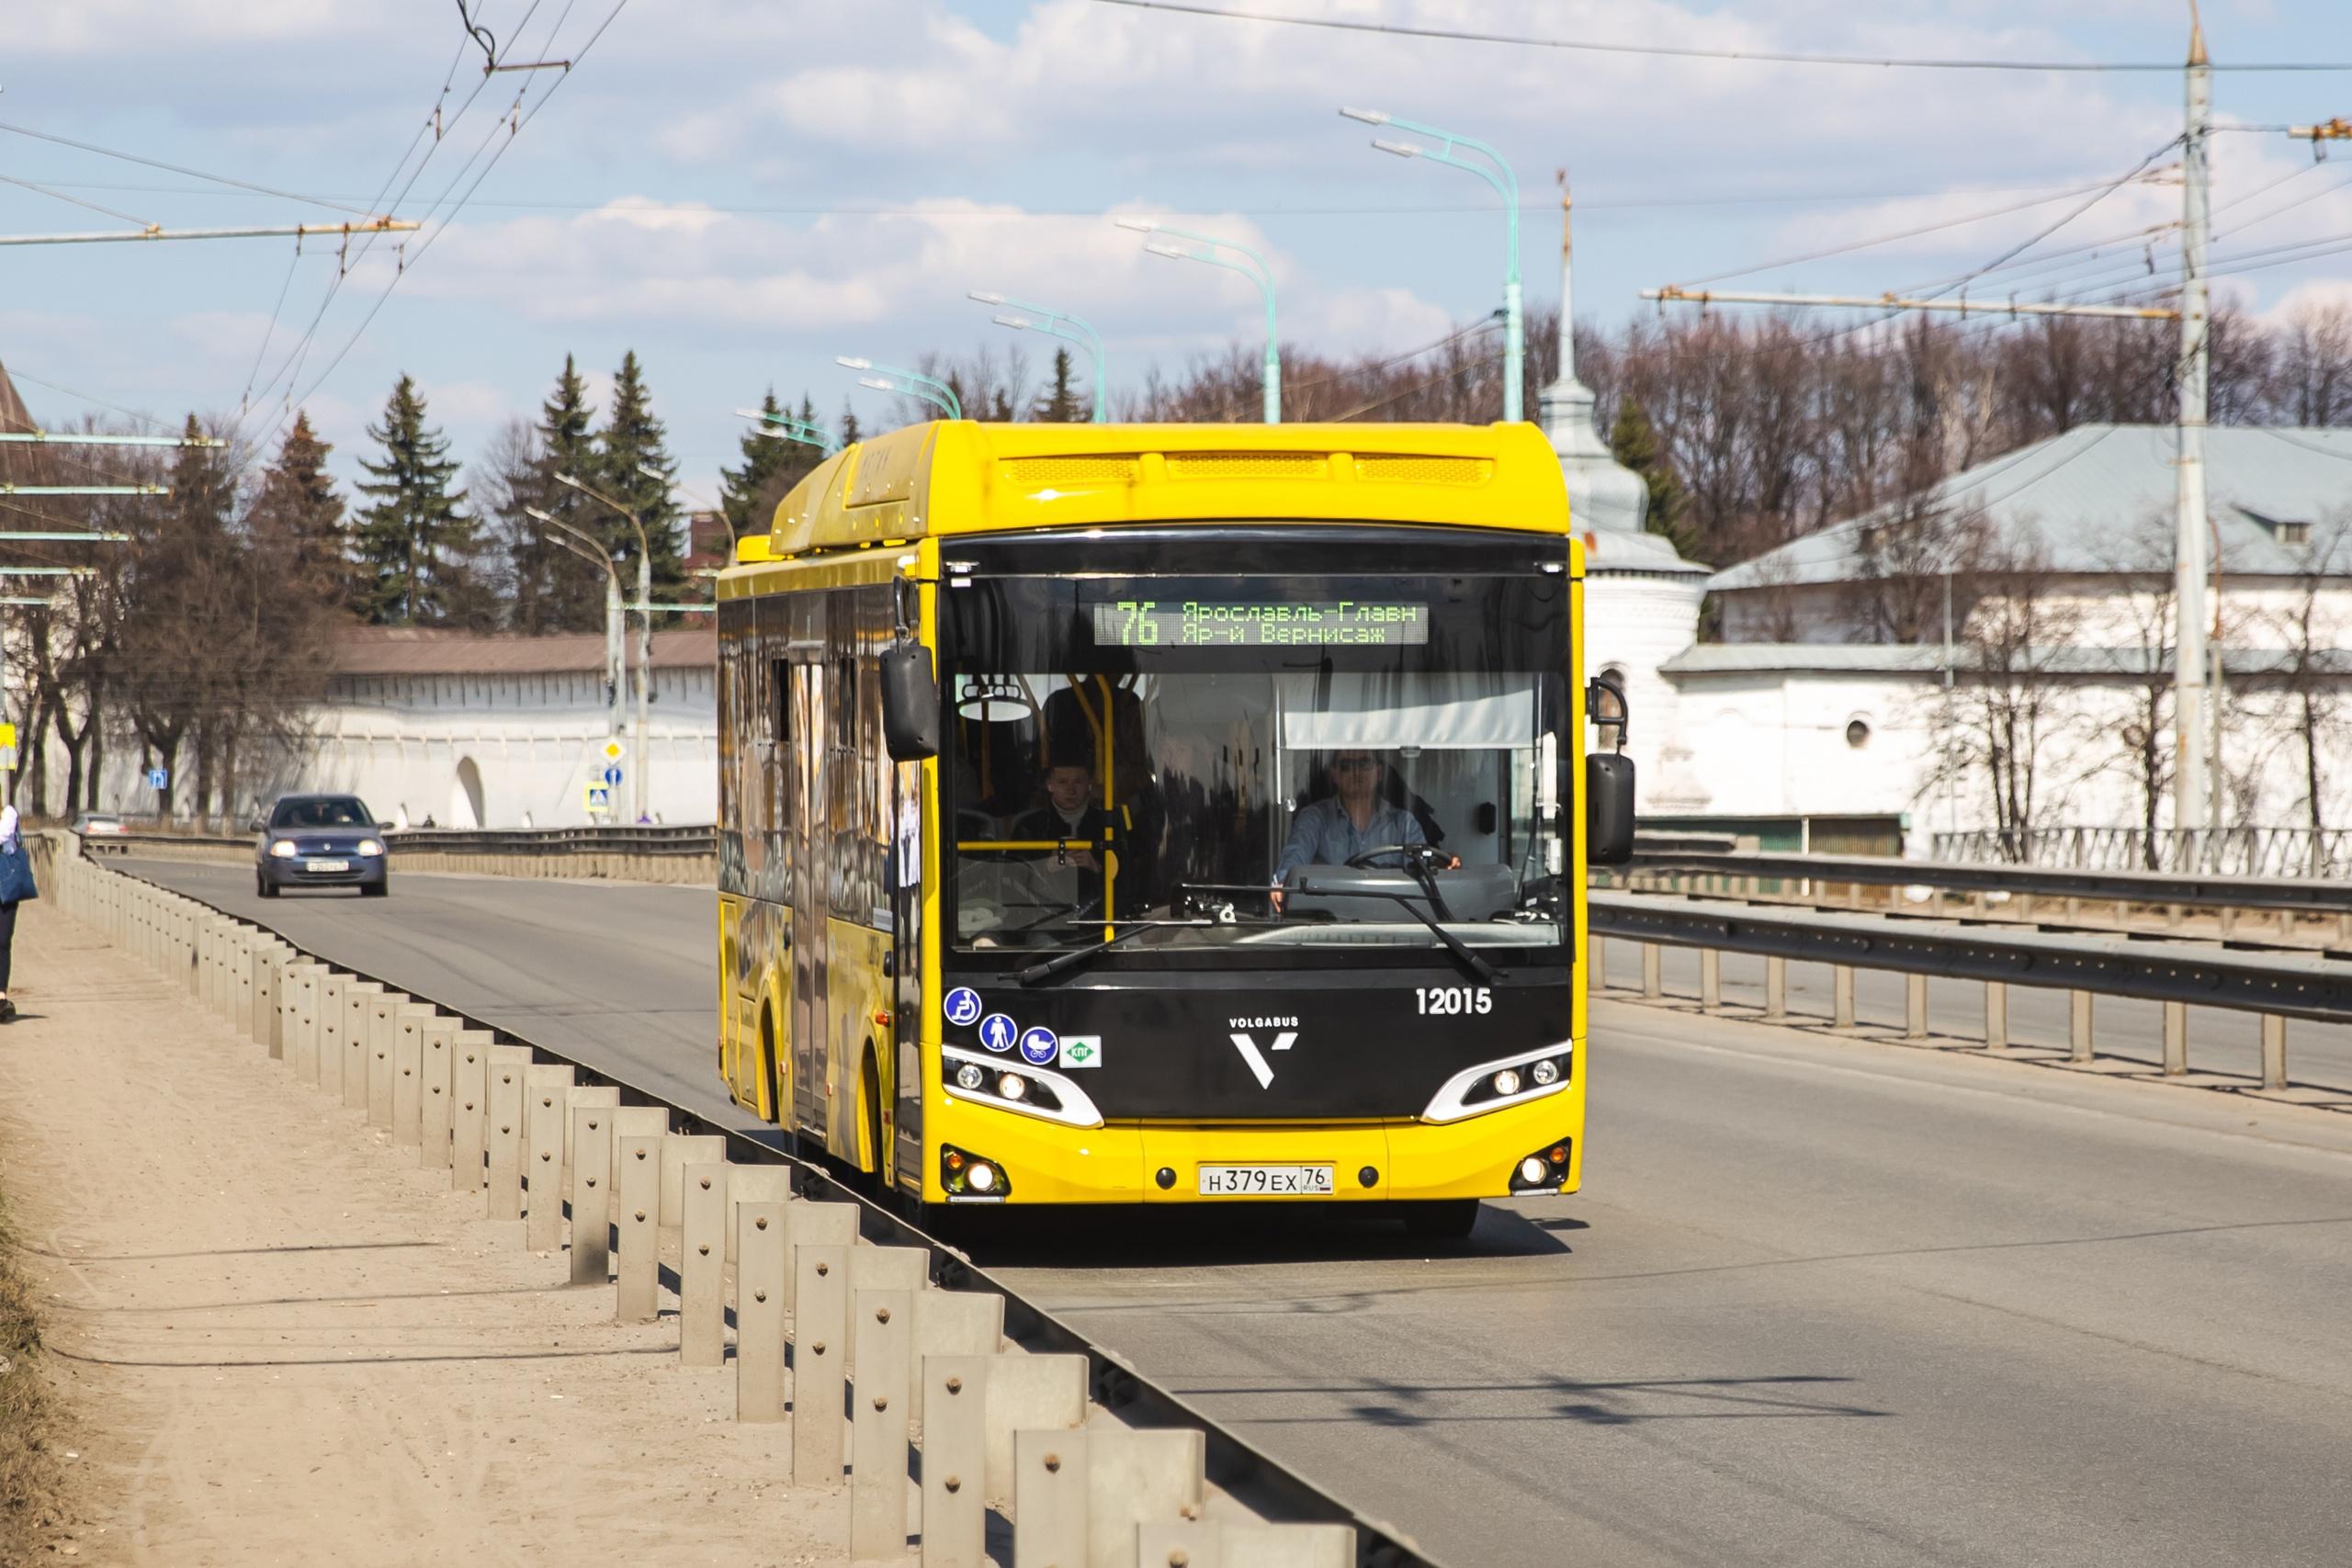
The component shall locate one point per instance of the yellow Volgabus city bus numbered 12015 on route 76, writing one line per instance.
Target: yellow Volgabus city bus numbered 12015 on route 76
(1163, 815)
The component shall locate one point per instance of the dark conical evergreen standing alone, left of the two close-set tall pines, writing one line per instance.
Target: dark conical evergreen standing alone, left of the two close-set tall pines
(415, 542)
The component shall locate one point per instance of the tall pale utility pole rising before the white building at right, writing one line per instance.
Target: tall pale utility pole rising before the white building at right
(2196, 728)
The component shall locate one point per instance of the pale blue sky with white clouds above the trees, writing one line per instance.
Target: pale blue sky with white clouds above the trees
(744, 189)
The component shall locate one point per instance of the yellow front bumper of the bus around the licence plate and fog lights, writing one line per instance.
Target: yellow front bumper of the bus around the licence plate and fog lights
(1161, 1162)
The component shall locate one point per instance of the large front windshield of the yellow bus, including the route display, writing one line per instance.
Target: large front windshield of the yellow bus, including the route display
(1257, 763)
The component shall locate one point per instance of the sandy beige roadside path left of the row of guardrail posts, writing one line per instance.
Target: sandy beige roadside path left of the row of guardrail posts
(281, 1343)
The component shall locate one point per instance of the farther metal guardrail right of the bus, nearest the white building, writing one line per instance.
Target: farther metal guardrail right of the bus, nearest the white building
(2299, 894)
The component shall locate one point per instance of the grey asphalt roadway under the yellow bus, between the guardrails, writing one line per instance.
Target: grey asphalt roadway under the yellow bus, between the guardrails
(1822, 1301)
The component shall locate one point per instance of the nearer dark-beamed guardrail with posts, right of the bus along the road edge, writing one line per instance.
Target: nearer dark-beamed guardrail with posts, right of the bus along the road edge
(2271, 984)
